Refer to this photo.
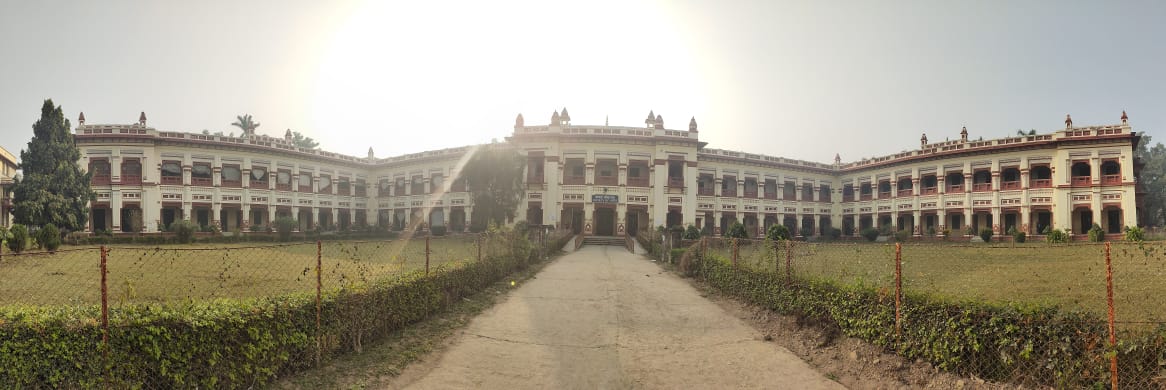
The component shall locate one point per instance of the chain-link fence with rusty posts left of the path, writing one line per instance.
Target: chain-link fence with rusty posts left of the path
(67, 317)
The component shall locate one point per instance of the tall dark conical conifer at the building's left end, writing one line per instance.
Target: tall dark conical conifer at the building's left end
(54, 190)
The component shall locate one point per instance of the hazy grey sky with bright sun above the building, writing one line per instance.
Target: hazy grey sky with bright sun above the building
(803, 80)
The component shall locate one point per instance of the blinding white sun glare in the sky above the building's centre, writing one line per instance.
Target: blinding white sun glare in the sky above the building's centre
(461, 73)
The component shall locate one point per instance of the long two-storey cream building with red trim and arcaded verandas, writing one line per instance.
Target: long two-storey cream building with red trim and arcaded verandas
(617, 180)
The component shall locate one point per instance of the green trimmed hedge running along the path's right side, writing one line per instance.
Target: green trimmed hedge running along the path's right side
(1029, 345)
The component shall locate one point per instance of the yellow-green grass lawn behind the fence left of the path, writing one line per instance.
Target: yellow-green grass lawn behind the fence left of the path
(203, 271)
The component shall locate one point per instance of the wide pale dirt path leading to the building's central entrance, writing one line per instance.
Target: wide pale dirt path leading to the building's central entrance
(602, 318)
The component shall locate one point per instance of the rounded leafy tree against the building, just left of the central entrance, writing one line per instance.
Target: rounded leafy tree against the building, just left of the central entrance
(494, 176)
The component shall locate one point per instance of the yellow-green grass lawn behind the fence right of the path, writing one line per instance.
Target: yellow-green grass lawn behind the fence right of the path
(1071, 276)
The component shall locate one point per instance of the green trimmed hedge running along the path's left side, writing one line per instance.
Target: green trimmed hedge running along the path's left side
(230, 343)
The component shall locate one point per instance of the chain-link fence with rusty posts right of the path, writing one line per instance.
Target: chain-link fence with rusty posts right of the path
(1034, 315)
